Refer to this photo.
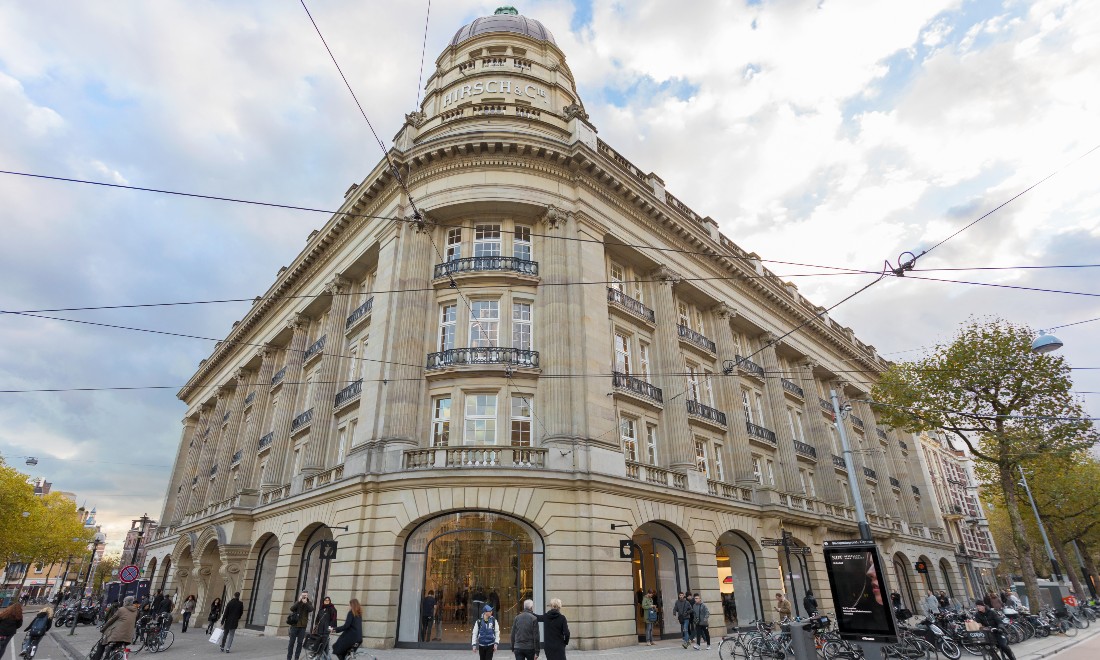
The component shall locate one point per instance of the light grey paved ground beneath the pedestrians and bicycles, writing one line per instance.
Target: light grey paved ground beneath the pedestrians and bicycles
(252, 646)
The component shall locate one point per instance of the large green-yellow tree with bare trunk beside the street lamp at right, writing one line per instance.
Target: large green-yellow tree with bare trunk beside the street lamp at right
(1008, 405)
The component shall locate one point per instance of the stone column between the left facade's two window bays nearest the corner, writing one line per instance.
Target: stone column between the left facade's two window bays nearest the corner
(318, 453)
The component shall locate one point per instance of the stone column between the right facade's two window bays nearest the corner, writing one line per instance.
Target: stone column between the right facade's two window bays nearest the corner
(679, 453)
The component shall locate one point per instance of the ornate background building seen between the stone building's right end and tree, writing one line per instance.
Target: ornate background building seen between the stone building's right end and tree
(956, 490)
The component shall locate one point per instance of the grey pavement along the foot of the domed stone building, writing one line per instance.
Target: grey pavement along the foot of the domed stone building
(250, 645)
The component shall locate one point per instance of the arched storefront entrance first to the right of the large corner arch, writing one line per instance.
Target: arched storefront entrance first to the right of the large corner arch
(659, 564)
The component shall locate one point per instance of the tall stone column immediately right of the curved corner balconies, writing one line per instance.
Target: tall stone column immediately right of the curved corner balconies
(557, 323)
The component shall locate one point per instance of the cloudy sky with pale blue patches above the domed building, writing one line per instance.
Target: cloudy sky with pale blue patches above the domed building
(835, 133)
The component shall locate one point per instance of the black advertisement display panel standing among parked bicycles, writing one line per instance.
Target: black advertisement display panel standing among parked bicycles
(860, 591)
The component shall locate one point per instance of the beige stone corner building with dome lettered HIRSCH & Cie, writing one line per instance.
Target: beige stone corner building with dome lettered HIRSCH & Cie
(557, 381)
